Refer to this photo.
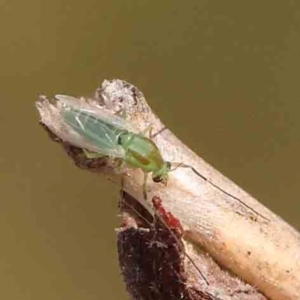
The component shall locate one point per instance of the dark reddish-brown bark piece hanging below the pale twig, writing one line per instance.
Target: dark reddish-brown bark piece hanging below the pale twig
(150, 257)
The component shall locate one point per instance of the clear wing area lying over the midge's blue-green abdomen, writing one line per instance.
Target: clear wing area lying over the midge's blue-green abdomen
(102, 136)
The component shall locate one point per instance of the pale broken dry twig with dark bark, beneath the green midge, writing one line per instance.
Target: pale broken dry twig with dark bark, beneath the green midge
(219, 233)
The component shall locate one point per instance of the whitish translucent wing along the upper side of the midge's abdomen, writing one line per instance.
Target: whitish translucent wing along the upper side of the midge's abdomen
(98, 112)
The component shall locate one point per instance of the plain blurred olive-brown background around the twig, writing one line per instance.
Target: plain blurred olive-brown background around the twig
(223, 75)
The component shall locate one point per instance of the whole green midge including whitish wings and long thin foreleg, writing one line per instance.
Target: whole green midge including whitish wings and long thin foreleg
(106, 134)
